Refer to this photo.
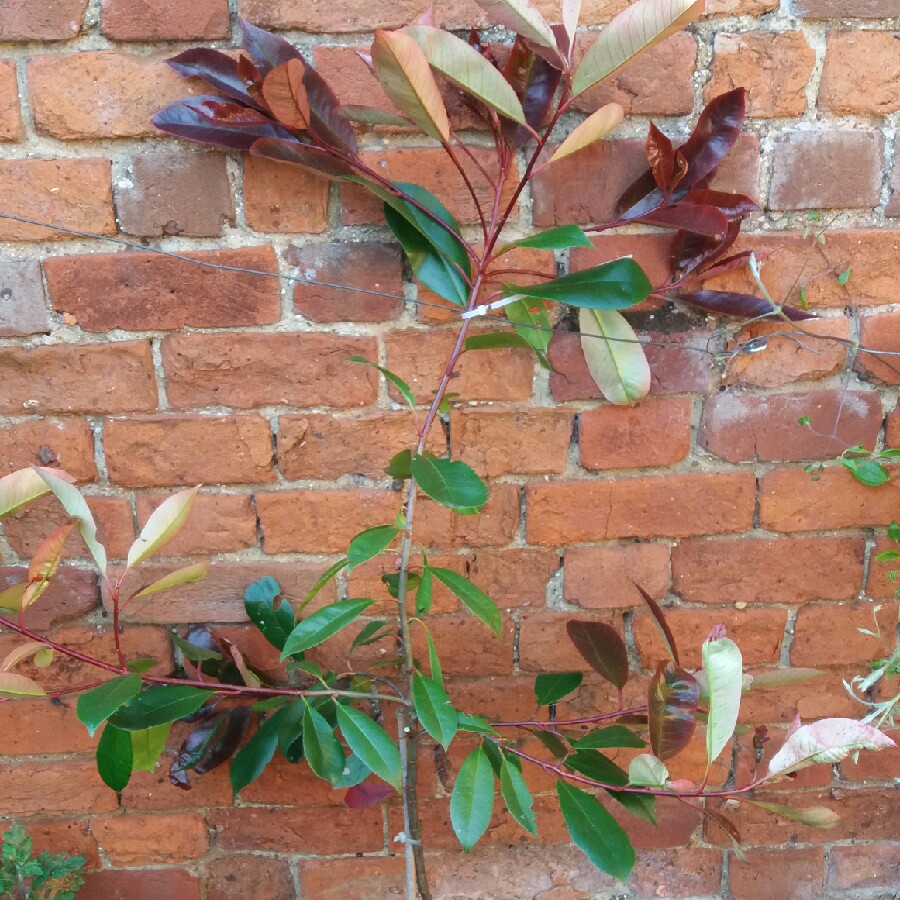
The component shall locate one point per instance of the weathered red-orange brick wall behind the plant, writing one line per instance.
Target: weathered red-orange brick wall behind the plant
(141, 373)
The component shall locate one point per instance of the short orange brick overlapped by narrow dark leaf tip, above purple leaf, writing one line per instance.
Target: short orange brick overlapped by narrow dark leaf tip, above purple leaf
(606, 577)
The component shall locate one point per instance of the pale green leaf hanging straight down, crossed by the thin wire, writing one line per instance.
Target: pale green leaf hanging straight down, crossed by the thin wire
(614, 356)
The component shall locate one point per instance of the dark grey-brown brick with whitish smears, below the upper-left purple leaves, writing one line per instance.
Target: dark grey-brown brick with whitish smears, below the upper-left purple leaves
(178, 193)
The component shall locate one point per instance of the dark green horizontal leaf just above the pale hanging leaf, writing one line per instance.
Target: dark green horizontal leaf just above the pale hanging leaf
(613, 285)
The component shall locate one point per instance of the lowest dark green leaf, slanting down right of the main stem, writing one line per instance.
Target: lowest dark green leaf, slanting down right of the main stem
(595, 832)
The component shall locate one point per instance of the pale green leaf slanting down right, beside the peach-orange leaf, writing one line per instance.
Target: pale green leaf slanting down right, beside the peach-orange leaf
(467, 69)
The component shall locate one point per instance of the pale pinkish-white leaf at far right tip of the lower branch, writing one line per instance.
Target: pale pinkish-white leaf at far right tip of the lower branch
(826, 741)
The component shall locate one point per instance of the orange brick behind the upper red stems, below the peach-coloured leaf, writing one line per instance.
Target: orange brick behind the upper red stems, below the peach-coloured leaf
(431, 169)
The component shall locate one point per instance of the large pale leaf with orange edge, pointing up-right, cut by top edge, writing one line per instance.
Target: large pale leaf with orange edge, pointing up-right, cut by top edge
(634, 30)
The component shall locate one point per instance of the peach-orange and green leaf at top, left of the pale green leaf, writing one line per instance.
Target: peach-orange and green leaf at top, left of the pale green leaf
(407, 79)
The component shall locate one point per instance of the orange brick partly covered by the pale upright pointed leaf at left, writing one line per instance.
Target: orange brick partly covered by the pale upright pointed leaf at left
(219, 523)
